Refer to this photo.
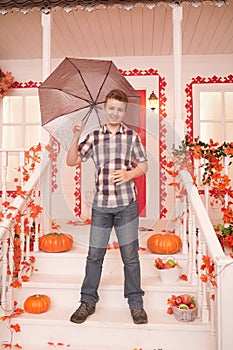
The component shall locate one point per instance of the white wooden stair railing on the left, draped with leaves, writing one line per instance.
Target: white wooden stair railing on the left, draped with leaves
(18, 213)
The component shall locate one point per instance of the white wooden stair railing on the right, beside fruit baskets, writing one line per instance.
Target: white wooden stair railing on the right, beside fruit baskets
(202, 240)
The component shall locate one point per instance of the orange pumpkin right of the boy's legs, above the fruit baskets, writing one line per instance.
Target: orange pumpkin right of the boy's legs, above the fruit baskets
(168, 243)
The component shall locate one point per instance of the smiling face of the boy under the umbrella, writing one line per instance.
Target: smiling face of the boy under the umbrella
(115, 111)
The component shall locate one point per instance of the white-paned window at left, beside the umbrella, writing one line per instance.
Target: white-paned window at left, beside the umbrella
(20, 125)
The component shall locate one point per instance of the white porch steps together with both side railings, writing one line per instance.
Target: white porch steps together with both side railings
(59, 275)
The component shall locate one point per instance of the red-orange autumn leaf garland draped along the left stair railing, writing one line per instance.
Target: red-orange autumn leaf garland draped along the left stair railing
(21, 267)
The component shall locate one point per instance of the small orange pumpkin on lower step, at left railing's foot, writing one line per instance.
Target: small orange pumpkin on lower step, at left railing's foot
(36, 304)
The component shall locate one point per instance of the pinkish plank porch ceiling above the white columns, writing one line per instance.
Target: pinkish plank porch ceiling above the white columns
(115, 31)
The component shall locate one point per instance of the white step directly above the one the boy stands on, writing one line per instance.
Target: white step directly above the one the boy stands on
(65, 290)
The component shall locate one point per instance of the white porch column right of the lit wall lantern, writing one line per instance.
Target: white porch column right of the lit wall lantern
(177, 57)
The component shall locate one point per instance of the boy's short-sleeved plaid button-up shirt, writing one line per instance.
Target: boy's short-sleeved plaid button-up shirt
(113, 152)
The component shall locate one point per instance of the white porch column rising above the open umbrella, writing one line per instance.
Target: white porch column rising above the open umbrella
(46, 54)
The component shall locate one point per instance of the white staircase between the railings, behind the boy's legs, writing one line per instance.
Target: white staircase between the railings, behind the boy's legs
(60, 276)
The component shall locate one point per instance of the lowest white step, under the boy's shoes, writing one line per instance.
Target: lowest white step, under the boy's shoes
(109, 328)
